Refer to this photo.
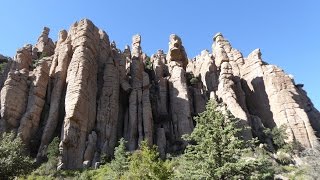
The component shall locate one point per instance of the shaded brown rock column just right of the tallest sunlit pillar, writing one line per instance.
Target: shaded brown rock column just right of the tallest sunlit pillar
(108, 105)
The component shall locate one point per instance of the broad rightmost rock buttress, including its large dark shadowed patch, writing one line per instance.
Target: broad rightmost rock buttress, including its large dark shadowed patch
(277, 95)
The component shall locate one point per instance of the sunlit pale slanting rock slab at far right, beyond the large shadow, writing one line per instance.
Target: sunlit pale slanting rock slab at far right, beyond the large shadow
(285, 108)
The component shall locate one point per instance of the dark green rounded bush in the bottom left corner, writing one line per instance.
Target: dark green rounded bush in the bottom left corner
(13, 161)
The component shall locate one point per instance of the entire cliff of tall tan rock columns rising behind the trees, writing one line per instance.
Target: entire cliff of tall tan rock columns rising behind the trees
(85, 90)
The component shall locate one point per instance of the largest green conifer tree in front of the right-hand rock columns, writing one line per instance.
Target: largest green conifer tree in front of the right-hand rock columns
(216, 151)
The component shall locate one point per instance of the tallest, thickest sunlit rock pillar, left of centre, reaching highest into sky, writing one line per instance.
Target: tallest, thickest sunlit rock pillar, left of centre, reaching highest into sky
(80, 101)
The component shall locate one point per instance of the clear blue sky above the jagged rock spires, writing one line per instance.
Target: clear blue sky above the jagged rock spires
(287, 31)
